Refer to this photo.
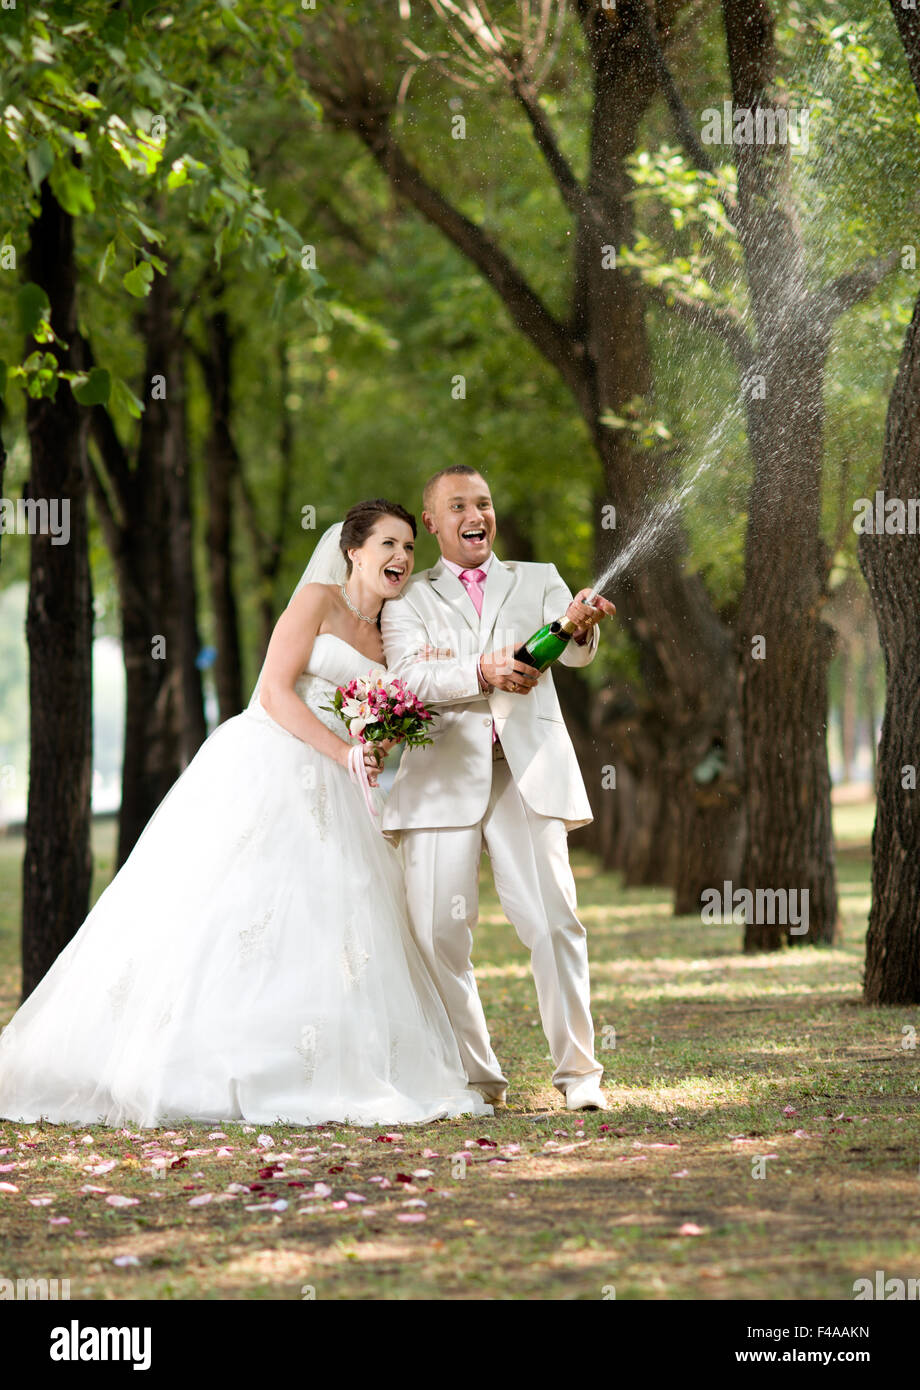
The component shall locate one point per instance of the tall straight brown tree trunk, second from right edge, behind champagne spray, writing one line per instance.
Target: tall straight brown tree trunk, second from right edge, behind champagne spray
(786, 647)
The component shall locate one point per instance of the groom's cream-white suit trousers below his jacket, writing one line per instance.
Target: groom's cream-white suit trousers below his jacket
(537, 890)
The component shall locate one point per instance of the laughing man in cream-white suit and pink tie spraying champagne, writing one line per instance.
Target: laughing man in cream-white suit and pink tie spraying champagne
(502, 774)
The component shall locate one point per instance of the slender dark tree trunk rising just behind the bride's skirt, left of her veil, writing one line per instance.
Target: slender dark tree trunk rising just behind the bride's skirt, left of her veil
(223, 469)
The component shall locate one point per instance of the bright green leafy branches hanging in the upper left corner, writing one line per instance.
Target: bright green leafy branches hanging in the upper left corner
(129, 119)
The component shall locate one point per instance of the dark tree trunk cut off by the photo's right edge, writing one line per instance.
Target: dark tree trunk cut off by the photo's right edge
(890, 565)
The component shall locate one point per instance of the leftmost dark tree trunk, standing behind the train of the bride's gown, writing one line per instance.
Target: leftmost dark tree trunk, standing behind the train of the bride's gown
(58, 867)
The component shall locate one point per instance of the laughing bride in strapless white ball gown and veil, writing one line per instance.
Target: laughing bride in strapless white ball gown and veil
(252, 960)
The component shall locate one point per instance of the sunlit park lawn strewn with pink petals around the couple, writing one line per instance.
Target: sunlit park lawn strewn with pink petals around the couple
(715, 1061)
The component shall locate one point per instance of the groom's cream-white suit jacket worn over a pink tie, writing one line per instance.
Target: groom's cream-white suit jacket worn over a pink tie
(450, 783)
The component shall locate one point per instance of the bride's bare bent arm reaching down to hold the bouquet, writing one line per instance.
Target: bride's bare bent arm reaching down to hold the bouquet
(286, 662)
